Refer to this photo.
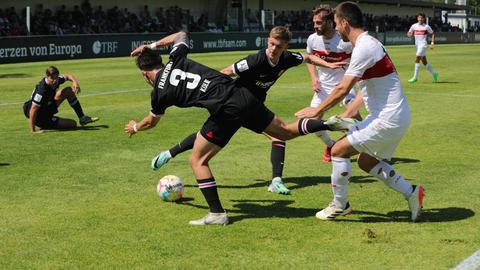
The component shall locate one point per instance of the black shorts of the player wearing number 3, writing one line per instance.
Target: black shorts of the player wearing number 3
(242, 109)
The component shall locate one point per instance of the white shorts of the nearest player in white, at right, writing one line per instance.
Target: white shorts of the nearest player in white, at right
(376, 138)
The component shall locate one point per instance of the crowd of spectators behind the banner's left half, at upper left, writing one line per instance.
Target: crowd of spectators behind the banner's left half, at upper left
(84, 19)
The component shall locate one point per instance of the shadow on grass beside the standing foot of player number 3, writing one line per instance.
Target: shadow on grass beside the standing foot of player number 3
(263, 209)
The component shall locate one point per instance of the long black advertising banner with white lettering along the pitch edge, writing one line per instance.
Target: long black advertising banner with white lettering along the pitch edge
(47, 48)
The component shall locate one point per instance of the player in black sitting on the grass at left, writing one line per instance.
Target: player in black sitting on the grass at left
(47, 97)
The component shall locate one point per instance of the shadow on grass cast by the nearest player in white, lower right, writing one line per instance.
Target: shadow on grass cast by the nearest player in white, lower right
(428, 215)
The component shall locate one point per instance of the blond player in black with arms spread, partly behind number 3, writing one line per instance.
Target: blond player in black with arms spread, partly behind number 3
(258, 72)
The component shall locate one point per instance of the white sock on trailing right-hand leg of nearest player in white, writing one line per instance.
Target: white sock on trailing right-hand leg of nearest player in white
(391, 178)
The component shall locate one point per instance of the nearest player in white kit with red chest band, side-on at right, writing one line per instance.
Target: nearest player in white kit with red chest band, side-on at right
(376, 137)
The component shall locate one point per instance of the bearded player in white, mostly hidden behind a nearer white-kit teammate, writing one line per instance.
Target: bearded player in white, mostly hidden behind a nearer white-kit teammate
(327, 44)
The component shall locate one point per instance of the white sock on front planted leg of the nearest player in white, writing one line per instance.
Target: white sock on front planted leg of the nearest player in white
(341, 172)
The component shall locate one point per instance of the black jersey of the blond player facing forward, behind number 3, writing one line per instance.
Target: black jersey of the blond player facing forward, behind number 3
(258, 74)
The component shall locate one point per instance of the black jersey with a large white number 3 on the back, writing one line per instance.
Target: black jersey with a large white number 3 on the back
(186, 83)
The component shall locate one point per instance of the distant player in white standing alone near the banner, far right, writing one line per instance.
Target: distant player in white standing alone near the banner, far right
(420, 31)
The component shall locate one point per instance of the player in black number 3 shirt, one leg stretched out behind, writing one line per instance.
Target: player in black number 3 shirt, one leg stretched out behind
(182, 82)
